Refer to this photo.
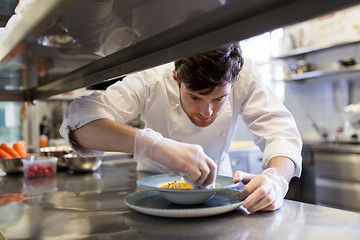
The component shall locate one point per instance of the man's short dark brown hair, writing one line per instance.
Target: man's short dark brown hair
(212, 69)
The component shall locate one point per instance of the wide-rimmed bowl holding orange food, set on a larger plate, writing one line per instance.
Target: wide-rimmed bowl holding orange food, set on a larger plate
(185, 196)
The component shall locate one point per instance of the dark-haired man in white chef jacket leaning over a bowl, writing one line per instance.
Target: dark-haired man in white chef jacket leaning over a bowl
(190, 109)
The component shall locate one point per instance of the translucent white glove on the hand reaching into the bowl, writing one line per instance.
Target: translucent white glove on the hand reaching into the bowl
(187, 160)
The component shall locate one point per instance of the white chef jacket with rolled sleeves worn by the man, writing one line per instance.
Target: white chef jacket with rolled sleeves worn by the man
(154, 95)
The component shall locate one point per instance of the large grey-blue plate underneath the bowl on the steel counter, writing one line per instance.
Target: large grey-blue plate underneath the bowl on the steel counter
(152, 202)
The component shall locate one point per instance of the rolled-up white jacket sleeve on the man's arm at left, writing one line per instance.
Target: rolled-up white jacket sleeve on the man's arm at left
(121, 102)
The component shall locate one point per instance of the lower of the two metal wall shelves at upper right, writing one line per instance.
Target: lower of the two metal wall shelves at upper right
(323, 74)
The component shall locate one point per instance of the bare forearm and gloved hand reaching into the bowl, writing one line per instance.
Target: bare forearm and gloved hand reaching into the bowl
(187, 160)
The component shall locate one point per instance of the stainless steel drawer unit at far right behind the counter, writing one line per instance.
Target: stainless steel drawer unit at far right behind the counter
(337, 175)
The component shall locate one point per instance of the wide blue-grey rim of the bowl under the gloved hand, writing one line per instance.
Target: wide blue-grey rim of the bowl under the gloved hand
(154, 182)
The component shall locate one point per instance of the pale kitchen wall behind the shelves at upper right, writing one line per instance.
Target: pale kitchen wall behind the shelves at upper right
(315, 99)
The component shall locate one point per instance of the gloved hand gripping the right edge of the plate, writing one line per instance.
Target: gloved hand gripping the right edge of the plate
(263, 192)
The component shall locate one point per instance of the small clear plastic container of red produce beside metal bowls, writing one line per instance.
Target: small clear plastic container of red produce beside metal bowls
(39, 166)
